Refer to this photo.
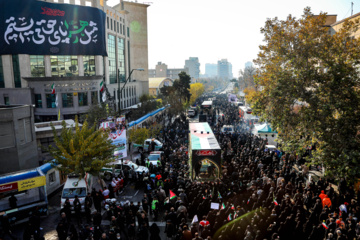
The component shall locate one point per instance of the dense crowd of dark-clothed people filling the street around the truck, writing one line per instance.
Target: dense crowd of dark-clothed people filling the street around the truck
(262, 194)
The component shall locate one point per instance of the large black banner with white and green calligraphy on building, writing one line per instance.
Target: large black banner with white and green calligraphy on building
(42, 28)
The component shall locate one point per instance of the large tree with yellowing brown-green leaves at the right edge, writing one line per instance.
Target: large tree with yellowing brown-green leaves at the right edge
(309, 85)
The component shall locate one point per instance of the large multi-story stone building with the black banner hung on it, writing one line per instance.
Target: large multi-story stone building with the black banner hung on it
(28, 79)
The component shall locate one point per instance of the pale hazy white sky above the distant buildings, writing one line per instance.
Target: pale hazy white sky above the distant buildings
(212, 30)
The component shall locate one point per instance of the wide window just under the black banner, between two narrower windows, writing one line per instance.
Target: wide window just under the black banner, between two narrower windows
(64, 66)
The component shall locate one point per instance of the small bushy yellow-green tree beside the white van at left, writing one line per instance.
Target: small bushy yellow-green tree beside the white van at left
(80, 151)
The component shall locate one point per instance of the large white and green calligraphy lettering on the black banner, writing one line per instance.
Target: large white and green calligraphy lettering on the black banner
(52, 31)
